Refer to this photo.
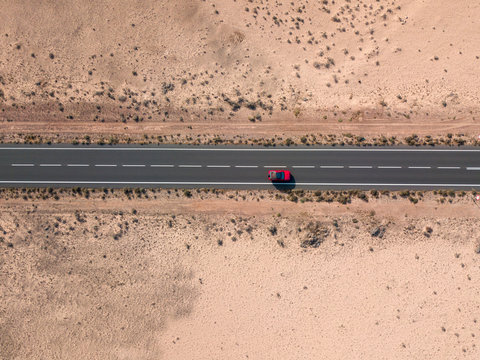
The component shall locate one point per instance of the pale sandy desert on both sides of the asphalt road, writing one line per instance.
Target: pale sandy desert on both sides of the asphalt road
(236, 275)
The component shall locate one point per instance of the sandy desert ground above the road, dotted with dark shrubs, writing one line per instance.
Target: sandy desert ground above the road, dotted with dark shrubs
(239, 68)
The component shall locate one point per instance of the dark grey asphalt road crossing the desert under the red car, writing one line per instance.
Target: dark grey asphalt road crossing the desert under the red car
(239, 167)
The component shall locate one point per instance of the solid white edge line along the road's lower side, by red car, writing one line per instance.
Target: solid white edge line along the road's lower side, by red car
(226, 183)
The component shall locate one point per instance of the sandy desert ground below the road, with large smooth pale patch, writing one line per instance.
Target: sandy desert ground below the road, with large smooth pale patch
(178, 278)
